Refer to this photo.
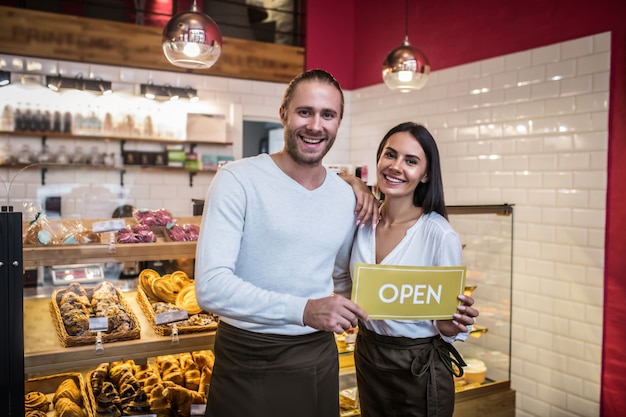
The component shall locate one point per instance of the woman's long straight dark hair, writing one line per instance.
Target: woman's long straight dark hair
(428, 195)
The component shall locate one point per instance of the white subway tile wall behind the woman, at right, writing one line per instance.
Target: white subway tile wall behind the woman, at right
(528, 129)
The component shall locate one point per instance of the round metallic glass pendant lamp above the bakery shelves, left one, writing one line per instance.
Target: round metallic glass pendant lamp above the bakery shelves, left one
(192, 39)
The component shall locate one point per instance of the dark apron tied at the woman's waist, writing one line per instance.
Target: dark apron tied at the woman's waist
(404, 377)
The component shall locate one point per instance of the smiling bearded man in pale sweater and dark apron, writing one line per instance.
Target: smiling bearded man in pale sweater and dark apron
(273, 263)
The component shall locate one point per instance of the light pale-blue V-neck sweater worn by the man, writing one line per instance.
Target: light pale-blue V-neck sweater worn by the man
(267, 245)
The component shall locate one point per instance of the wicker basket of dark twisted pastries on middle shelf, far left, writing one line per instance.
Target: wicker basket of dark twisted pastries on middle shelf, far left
(68, 340)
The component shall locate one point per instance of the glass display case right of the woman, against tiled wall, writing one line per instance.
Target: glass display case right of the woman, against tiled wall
(486, 234)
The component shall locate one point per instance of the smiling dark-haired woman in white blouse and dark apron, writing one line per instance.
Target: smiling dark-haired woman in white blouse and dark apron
(405, 368)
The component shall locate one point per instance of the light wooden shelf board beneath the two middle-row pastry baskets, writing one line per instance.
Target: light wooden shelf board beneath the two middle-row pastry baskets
(44, 354)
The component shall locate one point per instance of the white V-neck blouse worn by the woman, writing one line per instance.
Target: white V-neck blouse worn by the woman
(431, 241)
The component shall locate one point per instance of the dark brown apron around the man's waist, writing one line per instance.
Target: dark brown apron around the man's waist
(267, 375)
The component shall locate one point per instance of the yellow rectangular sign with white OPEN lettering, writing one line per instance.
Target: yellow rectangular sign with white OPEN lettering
(394, 292)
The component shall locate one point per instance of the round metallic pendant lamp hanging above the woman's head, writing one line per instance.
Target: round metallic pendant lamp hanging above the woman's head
(406, 68)
